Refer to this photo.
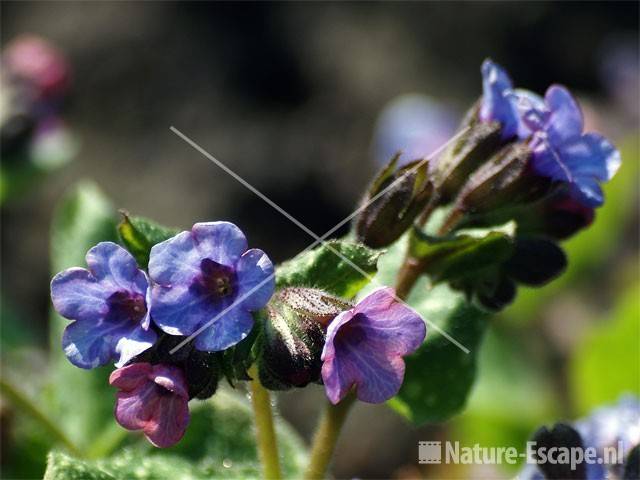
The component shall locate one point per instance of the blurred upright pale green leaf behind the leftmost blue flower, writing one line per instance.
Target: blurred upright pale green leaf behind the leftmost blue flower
(81, 400)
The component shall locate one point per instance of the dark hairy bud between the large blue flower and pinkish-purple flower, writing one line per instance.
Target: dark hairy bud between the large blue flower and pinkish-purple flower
(294, 335)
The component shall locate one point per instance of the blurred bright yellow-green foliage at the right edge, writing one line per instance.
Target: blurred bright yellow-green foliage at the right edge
(605, 363)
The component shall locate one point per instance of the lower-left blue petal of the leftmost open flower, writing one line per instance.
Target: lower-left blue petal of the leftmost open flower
(89, 345)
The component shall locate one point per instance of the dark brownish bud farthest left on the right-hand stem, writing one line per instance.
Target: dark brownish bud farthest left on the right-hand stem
(398, 194)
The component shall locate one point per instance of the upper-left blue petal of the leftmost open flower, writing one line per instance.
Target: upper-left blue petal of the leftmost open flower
(77, 295)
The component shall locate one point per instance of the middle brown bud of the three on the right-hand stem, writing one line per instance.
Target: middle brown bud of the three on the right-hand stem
(475, 147)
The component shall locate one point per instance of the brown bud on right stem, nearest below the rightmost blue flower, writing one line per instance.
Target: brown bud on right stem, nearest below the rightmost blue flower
(506, 180)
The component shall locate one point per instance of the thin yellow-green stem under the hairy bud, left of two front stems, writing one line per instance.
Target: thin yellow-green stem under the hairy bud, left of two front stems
(265, 432)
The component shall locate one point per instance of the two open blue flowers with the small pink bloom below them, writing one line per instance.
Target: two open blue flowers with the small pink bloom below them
(203, 282)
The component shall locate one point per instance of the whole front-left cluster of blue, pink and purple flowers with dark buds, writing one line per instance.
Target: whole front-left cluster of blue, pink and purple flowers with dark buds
(202, 293)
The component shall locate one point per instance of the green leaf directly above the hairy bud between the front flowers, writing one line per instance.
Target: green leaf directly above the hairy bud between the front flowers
(325, 268)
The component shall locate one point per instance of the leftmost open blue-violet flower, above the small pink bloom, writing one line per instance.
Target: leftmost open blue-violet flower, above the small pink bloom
(110, 305)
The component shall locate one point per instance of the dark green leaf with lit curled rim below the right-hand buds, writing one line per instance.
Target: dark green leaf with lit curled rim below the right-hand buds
(464, 254)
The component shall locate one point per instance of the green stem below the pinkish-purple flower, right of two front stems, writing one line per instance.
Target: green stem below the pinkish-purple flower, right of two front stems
(326, 436)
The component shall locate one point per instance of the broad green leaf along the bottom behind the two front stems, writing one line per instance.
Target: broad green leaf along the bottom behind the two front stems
(219, 443)
